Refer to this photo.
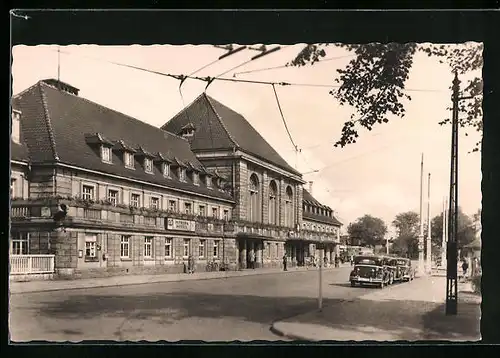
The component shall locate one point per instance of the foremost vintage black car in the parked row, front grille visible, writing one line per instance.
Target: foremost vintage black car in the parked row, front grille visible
(369, 270)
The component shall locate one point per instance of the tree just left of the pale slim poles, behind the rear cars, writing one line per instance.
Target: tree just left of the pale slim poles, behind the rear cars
(407, 226)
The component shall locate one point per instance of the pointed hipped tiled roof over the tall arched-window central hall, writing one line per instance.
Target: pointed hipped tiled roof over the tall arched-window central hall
(219, 127)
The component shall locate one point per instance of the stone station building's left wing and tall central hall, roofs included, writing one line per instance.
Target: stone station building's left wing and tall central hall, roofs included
(107, 194)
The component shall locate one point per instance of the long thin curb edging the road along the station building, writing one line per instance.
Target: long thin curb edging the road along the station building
(158, 281)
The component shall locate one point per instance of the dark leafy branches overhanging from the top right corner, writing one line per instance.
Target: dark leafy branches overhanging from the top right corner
(373, 82)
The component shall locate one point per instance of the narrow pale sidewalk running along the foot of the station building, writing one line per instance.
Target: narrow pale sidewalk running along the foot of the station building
(55, 285)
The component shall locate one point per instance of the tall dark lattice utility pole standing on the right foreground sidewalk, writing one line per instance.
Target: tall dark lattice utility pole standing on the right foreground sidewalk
(452, 247)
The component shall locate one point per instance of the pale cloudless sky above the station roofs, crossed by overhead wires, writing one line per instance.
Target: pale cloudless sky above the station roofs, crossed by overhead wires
(379, 175)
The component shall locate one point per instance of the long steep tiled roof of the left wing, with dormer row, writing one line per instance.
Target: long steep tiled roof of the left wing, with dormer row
(55, 124)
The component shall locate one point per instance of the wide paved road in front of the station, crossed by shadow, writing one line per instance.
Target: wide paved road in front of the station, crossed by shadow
(239, 308)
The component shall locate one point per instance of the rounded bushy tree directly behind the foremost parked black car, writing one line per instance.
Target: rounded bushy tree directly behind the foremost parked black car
(369, 230)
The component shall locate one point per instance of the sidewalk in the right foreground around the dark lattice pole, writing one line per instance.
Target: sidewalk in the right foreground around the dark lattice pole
(409, 311)
